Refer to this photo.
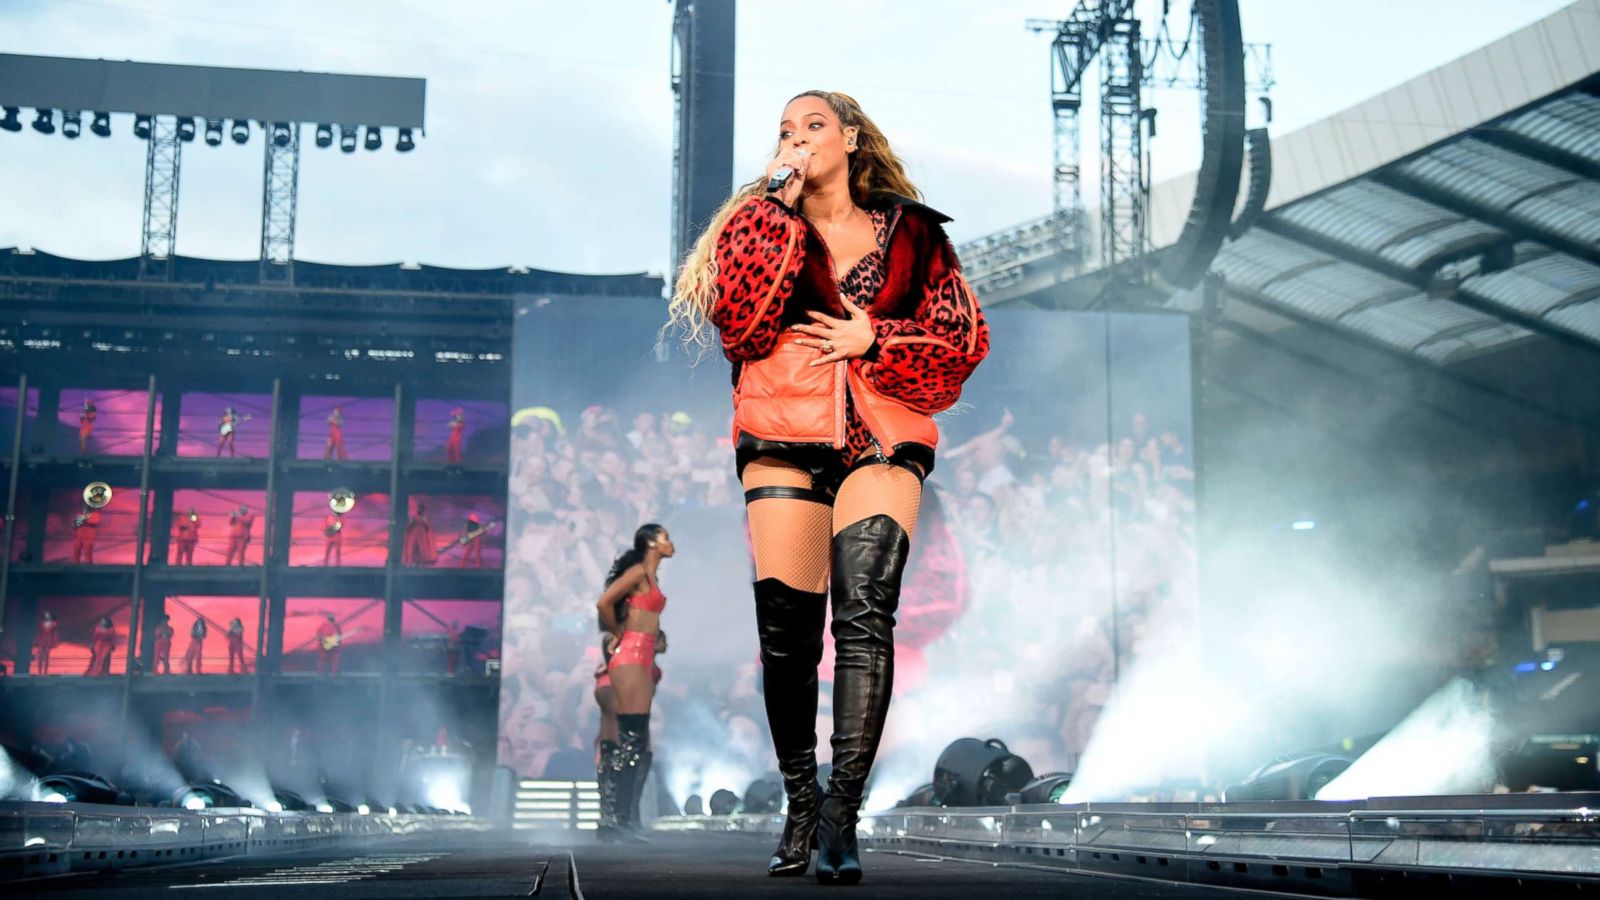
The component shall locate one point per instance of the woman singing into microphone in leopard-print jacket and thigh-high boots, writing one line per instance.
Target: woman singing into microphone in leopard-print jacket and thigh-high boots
(842, 307)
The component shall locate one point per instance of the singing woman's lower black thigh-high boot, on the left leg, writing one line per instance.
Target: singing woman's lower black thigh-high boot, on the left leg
(790, 624)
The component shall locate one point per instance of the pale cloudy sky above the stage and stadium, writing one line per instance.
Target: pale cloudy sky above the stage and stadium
(550, 124)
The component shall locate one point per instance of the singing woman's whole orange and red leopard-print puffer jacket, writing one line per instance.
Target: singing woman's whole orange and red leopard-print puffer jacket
(772, 268)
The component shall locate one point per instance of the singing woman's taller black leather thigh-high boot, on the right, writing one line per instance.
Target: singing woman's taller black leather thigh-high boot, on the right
(870, 560)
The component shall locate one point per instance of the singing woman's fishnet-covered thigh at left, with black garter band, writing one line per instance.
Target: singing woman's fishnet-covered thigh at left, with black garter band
(790, 537)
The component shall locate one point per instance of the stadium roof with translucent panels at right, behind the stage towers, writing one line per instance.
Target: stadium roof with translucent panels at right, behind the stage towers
(1450, 219)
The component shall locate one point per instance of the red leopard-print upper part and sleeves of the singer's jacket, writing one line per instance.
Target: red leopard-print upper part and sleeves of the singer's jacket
(930, 332)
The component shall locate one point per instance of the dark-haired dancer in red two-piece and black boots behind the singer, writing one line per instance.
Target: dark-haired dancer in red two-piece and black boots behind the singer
(634, 595)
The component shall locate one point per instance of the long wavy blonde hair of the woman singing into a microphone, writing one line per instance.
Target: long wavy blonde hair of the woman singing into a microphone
(874, 172)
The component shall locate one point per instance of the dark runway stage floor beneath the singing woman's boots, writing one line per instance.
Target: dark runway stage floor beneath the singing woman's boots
(508, 866)
